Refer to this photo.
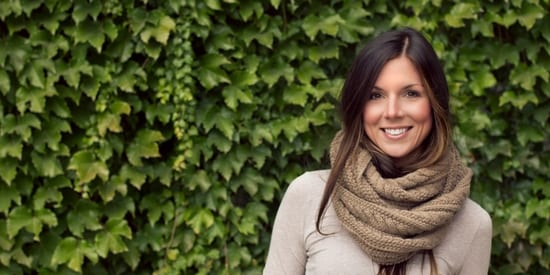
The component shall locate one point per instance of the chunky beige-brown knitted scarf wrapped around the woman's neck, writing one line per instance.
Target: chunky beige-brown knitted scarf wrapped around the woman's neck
(394, 218)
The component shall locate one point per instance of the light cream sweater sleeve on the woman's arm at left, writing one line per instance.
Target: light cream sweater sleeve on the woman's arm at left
(287, 252)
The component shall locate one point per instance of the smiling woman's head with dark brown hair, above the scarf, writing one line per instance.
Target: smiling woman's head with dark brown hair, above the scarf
(395, 102)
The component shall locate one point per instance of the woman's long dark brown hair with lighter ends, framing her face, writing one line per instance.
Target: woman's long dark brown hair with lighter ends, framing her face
(357, 88)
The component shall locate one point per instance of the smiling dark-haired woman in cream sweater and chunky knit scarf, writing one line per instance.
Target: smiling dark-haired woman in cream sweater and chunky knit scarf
(395, 200)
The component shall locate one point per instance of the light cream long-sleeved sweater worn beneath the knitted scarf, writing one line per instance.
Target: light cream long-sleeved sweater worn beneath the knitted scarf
(297, 248)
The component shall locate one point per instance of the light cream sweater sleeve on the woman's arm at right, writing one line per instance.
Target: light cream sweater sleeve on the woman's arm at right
(477, 258)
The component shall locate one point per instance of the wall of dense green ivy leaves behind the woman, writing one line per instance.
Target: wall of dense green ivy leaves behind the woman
(157, 137)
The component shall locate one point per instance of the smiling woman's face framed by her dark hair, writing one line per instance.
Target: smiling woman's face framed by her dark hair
(397, 116)
